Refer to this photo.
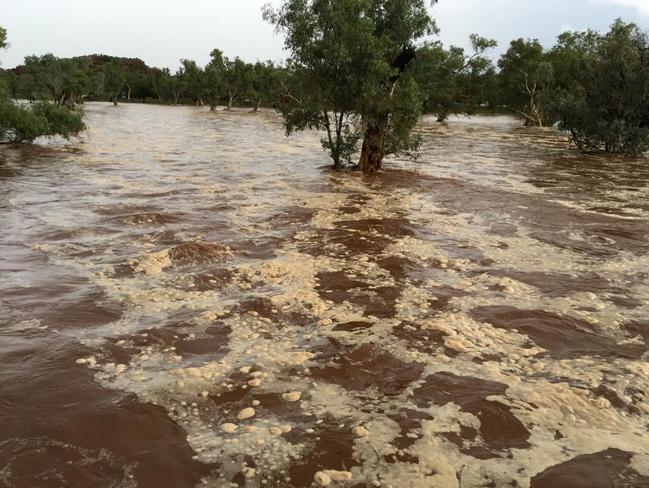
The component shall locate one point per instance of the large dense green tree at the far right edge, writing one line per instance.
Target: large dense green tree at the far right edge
(602, 94)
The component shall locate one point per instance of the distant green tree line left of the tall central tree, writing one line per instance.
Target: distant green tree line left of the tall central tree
(104, 78)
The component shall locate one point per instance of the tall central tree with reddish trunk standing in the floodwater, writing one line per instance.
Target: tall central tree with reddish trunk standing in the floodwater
(353, 78)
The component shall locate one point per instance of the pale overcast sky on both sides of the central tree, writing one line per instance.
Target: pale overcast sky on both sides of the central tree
(163, 31)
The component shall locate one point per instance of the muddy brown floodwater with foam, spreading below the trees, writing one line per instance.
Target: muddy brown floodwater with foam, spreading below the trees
(192, 300)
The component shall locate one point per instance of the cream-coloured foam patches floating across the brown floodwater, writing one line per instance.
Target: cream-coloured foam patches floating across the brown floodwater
(276, 356)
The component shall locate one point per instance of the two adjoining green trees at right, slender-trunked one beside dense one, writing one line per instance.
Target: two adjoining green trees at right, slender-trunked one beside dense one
(595, 86)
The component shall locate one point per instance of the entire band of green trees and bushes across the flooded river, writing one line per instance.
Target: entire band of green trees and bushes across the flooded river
(363, 73)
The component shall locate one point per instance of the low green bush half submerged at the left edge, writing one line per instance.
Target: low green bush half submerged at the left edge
(24, 124)
